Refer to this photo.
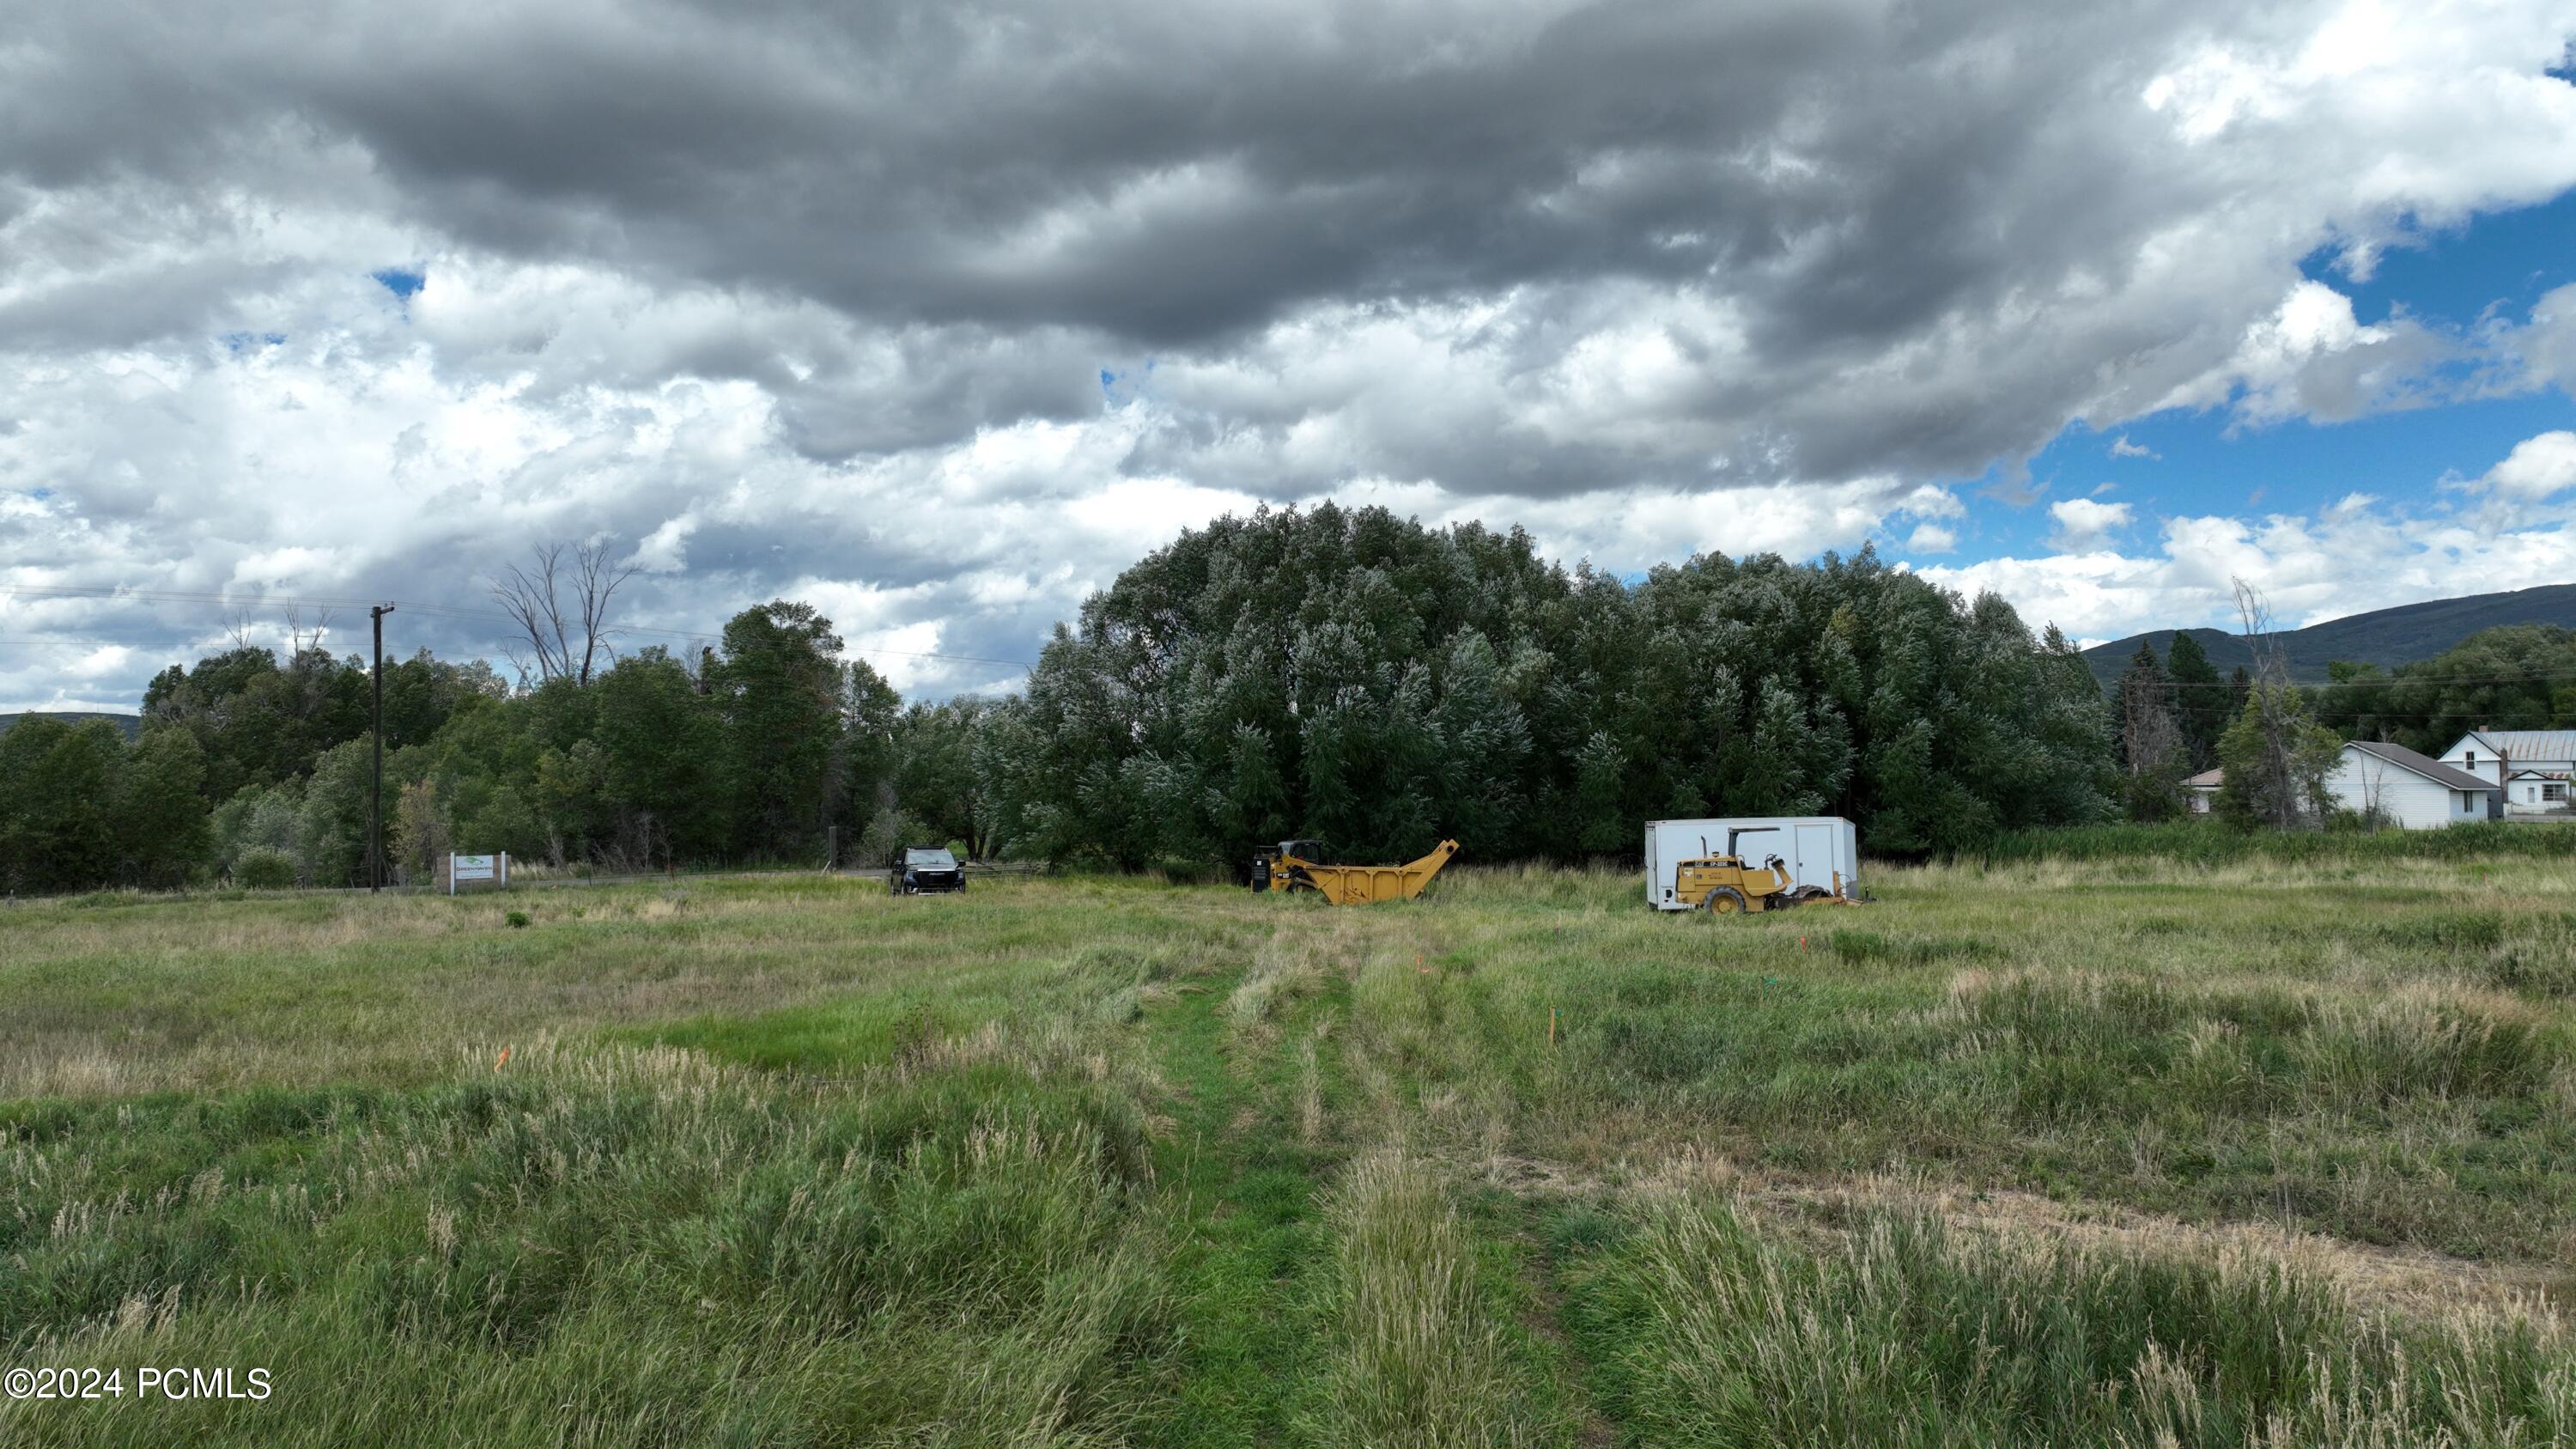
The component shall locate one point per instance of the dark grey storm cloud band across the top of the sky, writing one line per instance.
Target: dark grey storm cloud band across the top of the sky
(1158, 174)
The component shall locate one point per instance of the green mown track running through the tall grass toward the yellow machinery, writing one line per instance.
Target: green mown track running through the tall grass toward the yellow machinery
(1271, 1347)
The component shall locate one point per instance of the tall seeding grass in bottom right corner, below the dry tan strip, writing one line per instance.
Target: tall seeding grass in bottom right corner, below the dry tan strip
(1913, 1334)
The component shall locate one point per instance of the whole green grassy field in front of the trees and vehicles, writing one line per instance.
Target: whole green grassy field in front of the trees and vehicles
(2036, 1154)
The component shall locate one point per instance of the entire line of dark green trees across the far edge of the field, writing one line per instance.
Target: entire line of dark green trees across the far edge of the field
(1289, 674)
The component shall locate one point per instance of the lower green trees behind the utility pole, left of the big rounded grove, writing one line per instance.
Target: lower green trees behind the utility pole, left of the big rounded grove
(261, 770)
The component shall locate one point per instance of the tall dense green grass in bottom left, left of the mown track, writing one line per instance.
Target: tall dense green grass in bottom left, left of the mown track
(632, 1241)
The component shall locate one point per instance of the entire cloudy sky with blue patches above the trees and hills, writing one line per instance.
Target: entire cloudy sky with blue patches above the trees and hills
(942, 313)
